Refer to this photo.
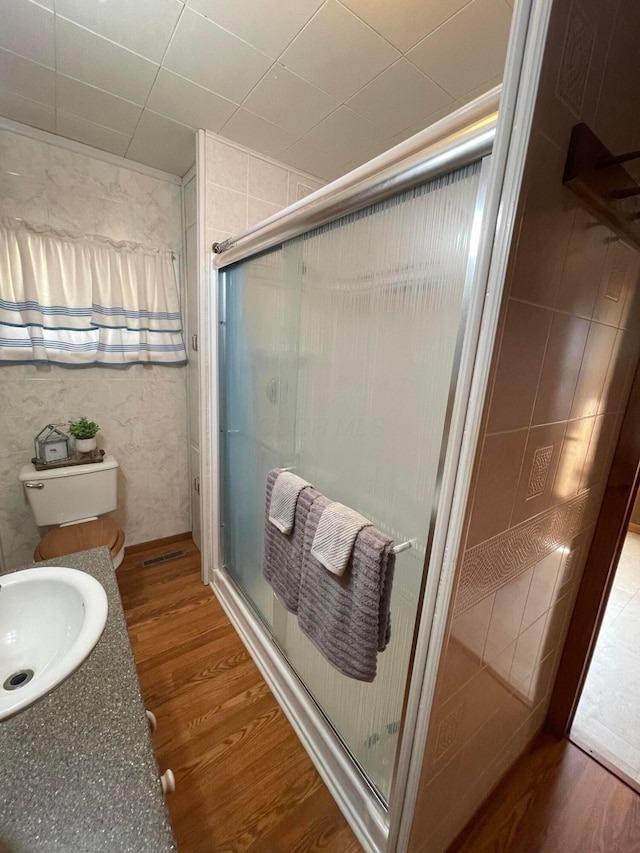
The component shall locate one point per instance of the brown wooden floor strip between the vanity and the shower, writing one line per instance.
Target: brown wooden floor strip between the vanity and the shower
(243, 781)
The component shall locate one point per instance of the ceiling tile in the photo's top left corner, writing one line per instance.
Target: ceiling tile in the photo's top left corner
(27, 29)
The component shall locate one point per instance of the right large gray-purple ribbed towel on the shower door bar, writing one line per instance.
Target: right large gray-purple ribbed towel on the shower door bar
(347, 617)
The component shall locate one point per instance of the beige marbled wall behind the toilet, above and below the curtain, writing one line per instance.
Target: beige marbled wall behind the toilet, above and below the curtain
(141, 409)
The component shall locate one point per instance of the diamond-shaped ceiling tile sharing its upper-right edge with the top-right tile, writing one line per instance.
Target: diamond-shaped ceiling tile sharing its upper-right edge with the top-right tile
(398, 98)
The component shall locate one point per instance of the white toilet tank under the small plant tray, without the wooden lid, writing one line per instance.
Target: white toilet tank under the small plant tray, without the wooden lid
(71, 493)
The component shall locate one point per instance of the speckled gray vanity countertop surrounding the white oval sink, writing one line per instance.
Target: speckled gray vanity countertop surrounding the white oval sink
(77, 768)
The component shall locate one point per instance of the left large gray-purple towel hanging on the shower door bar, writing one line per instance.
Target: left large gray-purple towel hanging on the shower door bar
(282, 553)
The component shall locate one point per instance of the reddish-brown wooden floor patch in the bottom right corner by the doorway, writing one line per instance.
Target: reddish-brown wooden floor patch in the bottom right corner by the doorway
(557, 799)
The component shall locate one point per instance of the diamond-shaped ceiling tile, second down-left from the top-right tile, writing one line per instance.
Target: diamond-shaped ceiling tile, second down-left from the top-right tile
(344, 135)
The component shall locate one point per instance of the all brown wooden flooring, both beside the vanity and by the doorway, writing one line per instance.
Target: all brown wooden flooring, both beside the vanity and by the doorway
(244, 783)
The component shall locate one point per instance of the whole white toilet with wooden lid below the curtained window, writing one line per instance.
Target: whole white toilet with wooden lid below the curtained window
(73, 497)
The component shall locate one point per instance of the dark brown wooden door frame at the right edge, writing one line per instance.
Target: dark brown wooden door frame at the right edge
(600, 568)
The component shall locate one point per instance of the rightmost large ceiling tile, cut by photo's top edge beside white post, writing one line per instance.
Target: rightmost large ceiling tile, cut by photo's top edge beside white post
(439, 54)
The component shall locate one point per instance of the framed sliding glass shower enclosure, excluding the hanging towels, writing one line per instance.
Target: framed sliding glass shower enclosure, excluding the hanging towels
(342, 329)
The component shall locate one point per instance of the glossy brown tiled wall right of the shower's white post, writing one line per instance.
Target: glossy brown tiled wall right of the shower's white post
(563, 362)
